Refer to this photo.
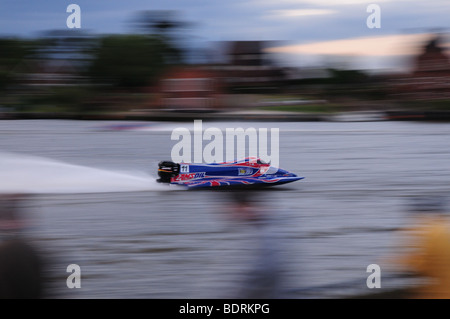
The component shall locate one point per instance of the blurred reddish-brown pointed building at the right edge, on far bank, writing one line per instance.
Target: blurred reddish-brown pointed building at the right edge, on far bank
(430, 77)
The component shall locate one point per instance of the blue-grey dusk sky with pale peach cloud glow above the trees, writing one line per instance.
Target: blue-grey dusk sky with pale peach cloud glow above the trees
(310, 32)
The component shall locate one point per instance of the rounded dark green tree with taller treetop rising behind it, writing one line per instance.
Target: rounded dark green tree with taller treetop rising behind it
(135, 60)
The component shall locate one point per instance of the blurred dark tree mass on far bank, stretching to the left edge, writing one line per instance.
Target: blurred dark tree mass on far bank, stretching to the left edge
(71, 71)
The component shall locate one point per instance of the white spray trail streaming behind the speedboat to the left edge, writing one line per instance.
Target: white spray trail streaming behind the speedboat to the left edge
(37, 175)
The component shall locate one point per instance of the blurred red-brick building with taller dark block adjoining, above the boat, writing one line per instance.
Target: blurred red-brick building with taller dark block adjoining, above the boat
(247, 69)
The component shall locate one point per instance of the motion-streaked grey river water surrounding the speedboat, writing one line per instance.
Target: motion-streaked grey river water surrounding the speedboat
(95, 203)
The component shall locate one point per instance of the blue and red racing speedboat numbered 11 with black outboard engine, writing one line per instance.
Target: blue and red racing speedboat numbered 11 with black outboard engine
(251, 171)
